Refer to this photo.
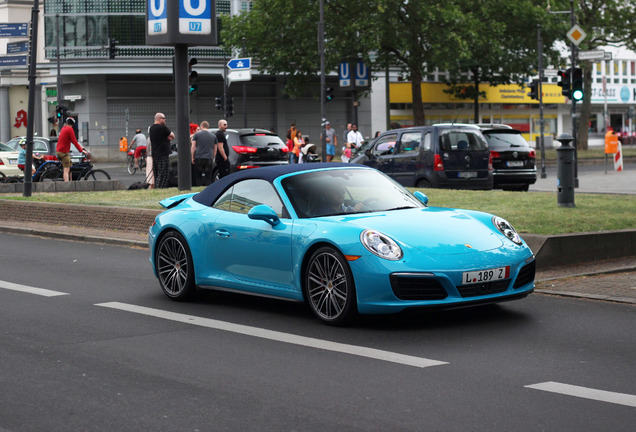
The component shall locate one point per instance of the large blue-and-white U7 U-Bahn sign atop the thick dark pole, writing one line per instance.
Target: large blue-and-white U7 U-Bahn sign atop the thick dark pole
(188, 22)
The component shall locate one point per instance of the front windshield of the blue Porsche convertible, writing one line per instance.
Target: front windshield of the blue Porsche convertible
(345, 191)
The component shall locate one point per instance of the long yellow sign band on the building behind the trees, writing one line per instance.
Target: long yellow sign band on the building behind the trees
(503, 94)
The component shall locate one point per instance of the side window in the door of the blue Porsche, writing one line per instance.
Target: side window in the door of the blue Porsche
(241, 197)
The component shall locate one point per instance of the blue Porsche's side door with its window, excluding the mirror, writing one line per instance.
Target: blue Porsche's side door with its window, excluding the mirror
(253, 251)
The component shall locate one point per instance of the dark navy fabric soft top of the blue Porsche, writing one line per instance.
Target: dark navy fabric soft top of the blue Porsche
(210, 194)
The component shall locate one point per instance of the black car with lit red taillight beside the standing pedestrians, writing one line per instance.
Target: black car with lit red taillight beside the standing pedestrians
(249, 148)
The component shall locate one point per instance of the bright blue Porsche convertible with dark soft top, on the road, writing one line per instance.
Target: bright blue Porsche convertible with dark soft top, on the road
(344, 239)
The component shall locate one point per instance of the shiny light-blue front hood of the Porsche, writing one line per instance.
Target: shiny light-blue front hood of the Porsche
(438, 231)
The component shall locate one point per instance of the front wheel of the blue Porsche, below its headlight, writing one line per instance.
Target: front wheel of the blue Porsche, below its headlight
(329, 287)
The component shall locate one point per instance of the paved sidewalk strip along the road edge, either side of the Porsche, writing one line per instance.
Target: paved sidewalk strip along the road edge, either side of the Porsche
(611, 280)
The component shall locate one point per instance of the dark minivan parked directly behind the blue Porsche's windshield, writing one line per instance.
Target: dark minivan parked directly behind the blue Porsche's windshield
(439, 156)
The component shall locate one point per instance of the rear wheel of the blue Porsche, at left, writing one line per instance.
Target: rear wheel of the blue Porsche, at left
(174, 268)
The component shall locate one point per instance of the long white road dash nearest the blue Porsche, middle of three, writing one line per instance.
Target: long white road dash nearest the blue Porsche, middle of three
(278, 336)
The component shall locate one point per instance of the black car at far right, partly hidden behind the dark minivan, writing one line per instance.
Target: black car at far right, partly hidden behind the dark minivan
(513, 160)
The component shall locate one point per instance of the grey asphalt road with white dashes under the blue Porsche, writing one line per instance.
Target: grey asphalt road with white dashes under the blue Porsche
(102, 349)
